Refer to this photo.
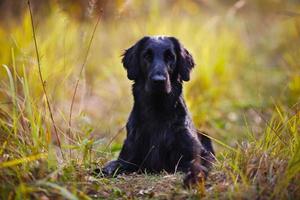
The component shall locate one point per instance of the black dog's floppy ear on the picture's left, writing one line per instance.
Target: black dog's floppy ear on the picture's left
(131, 59)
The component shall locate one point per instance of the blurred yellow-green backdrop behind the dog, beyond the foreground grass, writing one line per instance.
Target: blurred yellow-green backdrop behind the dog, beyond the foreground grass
(246, 52)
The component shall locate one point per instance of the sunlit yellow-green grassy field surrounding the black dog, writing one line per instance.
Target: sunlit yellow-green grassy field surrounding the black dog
(244, 92)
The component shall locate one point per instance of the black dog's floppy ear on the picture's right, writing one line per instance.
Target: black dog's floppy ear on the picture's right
(185, 61)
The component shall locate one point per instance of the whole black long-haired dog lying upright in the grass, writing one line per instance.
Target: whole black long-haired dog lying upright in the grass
(160, 133)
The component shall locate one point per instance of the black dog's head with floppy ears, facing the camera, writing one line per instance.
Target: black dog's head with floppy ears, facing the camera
(158, 62)
